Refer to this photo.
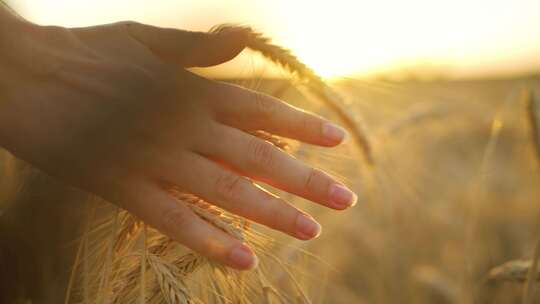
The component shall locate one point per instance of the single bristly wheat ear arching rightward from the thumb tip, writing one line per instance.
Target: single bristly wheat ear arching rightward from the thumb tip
(285, 58)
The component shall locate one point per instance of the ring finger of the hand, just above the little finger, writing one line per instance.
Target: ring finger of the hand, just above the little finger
(239, 195)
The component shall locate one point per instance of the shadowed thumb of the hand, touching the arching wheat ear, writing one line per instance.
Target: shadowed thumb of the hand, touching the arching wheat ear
(190, 49)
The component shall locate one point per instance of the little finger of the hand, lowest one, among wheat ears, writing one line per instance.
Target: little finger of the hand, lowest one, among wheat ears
(160, 210)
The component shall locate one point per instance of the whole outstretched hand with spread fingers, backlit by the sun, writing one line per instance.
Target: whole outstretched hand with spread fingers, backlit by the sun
(112, 110)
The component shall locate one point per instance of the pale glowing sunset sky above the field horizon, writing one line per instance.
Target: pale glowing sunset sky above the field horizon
(463, 38)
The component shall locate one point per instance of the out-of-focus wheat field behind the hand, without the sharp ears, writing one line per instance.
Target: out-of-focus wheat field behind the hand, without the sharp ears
(452, 195)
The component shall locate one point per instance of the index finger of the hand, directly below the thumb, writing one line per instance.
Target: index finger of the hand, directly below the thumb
(249, 110)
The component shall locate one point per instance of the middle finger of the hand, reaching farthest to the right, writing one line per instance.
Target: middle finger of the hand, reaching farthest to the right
(263, 161)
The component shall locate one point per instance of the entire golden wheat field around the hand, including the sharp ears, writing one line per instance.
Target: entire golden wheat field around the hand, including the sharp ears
(447, 173)
